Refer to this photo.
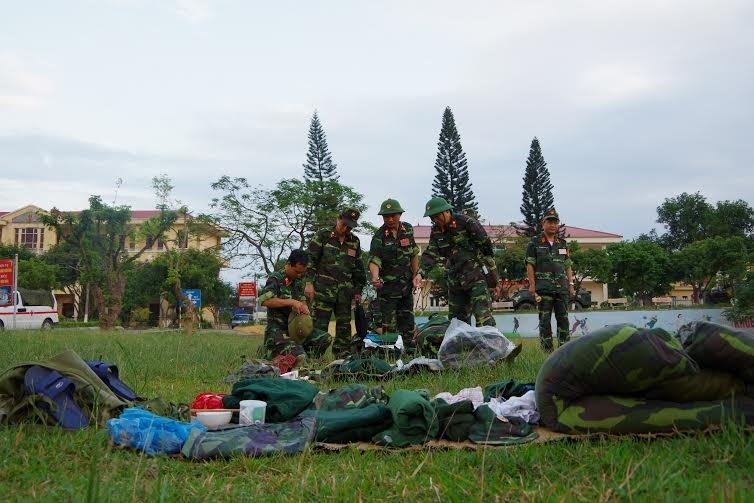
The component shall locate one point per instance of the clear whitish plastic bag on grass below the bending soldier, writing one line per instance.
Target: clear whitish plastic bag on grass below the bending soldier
(464, 345)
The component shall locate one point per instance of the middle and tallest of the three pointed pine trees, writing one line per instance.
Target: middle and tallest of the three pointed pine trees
(452, 178)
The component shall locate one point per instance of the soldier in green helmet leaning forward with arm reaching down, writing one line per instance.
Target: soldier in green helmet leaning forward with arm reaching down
(461, 244)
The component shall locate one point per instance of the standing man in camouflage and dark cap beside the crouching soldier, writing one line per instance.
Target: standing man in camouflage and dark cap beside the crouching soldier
(336, 277)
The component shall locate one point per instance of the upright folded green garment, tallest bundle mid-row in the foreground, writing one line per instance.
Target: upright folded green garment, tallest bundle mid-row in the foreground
(414, 420)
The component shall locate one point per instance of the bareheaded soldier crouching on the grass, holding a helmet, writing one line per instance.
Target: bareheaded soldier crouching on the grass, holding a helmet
(283, 295)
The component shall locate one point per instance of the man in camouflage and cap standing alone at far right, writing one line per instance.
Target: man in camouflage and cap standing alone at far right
(548, 267)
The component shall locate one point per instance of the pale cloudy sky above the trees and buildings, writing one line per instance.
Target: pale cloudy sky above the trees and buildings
(632, 101)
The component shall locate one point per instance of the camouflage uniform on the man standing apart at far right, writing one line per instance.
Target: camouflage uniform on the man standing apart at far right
(550, 264)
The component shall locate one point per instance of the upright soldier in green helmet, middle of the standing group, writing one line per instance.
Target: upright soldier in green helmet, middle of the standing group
(393, 263)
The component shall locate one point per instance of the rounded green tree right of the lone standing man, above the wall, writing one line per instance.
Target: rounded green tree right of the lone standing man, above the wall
(641, 268)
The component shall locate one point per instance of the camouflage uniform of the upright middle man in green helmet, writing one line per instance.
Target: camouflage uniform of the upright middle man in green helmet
(392, 253)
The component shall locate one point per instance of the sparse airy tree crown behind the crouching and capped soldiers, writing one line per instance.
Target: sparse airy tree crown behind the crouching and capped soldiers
(262, 225)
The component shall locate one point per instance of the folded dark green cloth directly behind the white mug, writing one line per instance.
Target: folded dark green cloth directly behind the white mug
(285, 398)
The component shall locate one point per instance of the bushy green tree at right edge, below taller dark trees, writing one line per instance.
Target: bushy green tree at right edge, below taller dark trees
(699, 263)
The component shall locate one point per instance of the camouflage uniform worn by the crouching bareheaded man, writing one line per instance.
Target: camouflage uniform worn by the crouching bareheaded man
(276, 340)
